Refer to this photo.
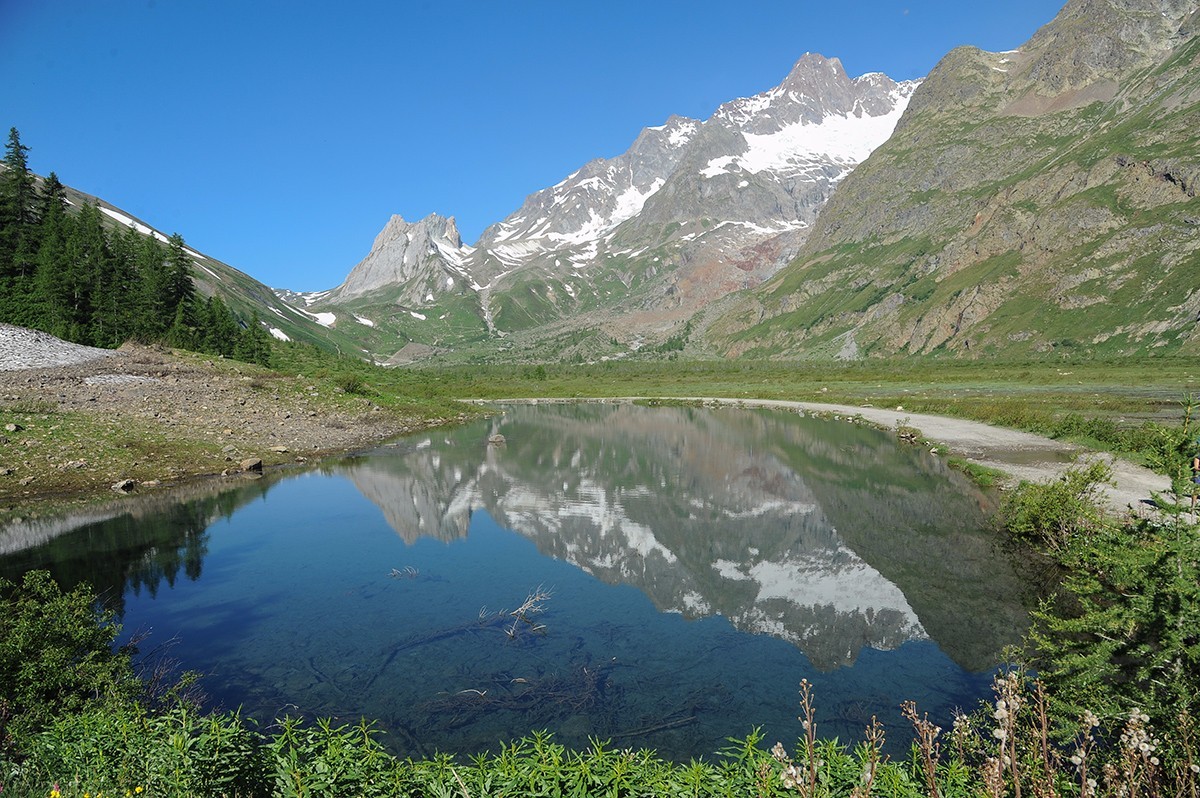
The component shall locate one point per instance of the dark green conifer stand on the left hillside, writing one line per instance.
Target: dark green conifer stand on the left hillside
(67, 272)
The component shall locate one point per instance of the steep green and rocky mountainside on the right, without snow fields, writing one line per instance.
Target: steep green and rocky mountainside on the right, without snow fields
(1030, 202)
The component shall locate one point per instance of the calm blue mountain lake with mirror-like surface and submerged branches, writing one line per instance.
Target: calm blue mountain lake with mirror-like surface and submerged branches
(697, 565)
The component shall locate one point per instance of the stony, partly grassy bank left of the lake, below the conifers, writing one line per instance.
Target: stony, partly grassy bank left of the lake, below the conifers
(76, 419)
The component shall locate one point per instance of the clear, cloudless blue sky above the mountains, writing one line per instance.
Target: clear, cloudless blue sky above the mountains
(280, 137)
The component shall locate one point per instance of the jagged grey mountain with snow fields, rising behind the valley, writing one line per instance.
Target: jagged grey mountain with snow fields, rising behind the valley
(691, 213)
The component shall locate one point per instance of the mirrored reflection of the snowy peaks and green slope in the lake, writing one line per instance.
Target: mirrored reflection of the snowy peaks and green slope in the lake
(739, 514)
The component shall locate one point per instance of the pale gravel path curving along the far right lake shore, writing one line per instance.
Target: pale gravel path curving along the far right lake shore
(1022, 455)
